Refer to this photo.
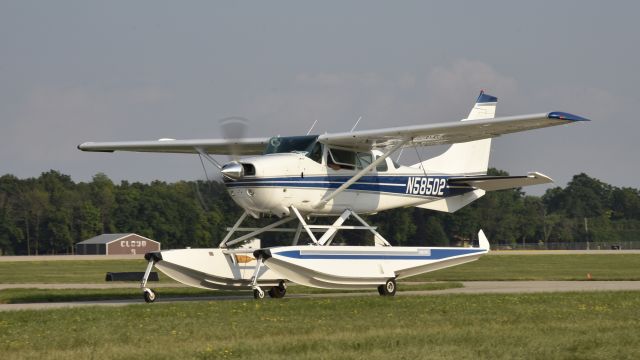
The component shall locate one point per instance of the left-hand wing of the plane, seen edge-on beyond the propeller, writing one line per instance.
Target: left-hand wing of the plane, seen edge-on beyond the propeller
(248, 146)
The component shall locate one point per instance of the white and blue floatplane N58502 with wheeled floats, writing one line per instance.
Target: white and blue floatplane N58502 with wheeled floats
(342, 176)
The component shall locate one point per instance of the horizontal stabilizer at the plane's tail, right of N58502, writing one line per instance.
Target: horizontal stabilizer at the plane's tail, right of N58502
(492, 183)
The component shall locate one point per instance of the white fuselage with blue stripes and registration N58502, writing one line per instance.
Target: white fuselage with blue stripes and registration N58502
(292, 179)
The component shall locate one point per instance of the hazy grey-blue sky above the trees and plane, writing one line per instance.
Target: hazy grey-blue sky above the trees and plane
(76, 71)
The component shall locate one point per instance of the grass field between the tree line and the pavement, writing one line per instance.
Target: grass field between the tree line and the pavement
(504, 267)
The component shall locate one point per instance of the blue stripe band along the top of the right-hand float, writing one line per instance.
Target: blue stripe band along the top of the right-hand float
(436, 254)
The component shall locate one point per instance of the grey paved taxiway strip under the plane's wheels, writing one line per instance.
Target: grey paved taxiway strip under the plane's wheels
(470, 287)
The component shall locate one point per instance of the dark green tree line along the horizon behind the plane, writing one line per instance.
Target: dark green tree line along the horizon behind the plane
(51, 213)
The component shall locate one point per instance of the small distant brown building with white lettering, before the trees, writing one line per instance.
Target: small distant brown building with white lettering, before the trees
(117, 244)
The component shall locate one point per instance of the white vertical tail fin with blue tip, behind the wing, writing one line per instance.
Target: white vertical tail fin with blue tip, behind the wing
(470, 158)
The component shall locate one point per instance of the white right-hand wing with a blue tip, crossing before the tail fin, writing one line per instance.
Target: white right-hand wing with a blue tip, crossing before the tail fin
(447, 133)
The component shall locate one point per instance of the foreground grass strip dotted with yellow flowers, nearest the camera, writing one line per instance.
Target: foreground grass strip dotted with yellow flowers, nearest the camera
(532, 326)
